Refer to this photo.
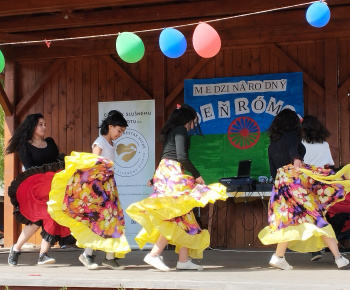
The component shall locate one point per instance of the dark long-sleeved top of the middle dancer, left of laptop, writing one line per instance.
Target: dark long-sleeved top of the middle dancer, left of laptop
(176, 146)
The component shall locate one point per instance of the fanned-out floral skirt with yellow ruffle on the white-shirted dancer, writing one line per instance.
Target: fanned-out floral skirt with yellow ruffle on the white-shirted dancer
(84, 197)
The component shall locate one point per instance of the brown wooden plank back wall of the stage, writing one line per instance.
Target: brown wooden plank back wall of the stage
(69, 103)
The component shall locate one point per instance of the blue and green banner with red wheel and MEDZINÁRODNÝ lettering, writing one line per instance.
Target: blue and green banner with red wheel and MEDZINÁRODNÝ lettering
(234, 114)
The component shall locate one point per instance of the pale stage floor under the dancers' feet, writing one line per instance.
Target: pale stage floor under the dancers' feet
(223, 269)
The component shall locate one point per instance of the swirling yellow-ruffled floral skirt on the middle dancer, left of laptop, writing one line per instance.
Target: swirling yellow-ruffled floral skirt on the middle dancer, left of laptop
(168, 210)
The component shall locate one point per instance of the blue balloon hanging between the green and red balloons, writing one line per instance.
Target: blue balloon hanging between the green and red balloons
(172, 43)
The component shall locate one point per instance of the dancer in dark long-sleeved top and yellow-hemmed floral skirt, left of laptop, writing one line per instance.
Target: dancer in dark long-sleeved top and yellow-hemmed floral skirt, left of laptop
(166, 215)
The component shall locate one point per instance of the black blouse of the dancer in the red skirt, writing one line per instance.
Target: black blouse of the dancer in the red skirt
(31, 156)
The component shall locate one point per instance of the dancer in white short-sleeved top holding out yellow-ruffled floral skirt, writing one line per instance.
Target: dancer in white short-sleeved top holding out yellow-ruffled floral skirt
(84, 197)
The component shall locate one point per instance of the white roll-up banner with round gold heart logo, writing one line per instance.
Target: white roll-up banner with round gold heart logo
(135, 157)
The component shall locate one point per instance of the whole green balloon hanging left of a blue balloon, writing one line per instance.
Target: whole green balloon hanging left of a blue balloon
(130, 47)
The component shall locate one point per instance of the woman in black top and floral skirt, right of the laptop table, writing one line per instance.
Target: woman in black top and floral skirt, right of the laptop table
(300, 196)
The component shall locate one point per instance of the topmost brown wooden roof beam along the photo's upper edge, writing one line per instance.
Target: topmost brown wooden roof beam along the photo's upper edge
(205, 10)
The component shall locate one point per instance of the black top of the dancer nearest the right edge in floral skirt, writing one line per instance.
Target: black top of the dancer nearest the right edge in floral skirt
(284, 150)
